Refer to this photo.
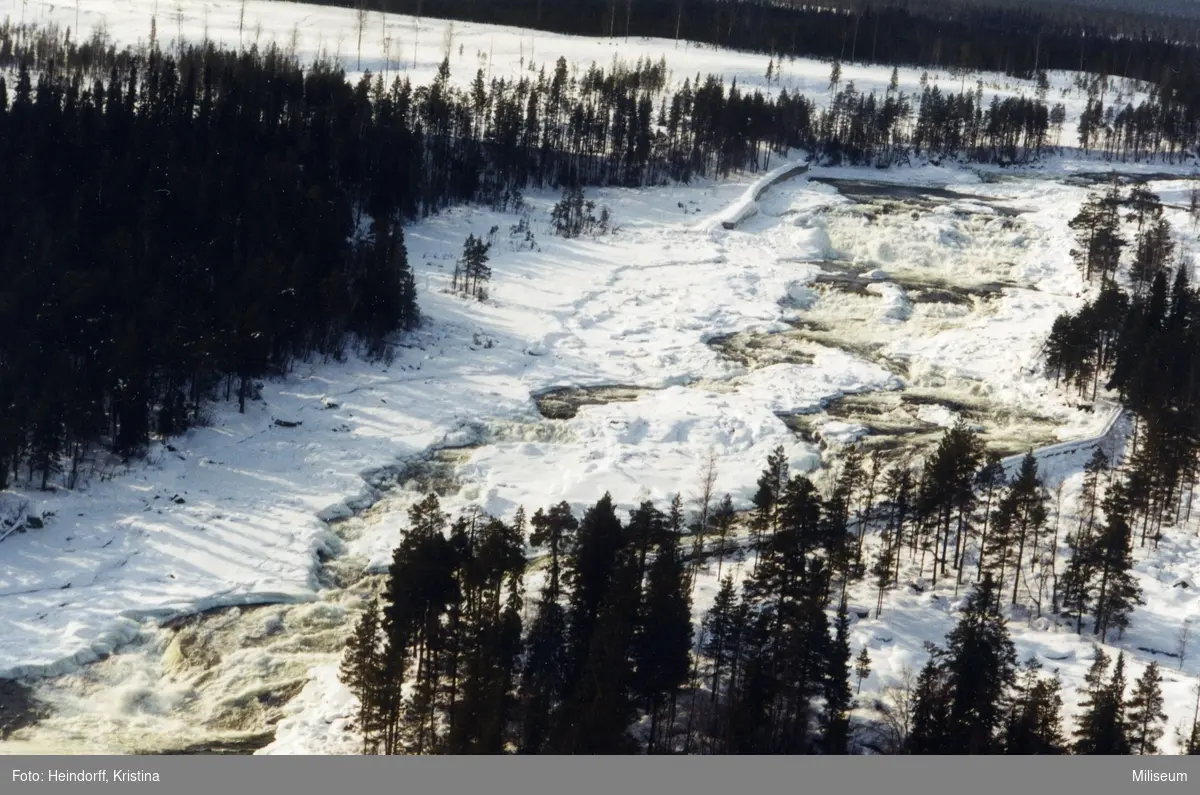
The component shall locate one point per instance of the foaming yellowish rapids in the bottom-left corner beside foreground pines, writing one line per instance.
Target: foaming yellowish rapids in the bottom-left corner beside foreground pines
(215, 683)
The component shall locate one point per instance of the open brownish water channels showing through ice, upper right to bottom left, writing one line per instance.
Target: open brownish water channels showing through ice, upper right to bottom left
(220, 683)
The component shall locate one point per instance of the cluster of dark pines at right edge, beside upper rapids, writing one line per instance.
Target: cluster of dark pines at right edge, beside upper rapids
(1144, 344)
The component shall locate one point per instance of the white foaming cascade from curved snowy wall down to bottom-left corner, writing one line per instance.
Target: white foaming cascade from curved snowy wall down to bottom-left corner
(223, 682)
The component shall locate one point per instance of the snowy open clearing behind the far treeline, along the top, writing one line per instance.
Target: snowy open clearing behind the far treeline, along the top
(403, 45)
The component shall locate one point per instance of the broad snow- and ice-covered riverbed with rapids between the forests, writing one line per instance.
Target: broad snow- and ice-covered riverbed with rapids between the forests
(638, 310)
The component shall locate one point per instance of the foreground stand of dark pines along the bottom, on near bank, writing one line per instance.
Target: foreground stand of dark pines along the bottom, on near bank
(610, 661)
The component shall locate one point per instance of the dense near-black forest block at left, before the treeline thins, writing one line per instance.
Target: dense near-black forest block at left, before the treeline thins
(175, 232)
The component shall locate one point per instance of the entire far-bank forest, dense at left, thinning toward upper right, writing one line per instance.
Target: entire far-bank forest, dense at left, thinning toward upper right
(177, 225)
